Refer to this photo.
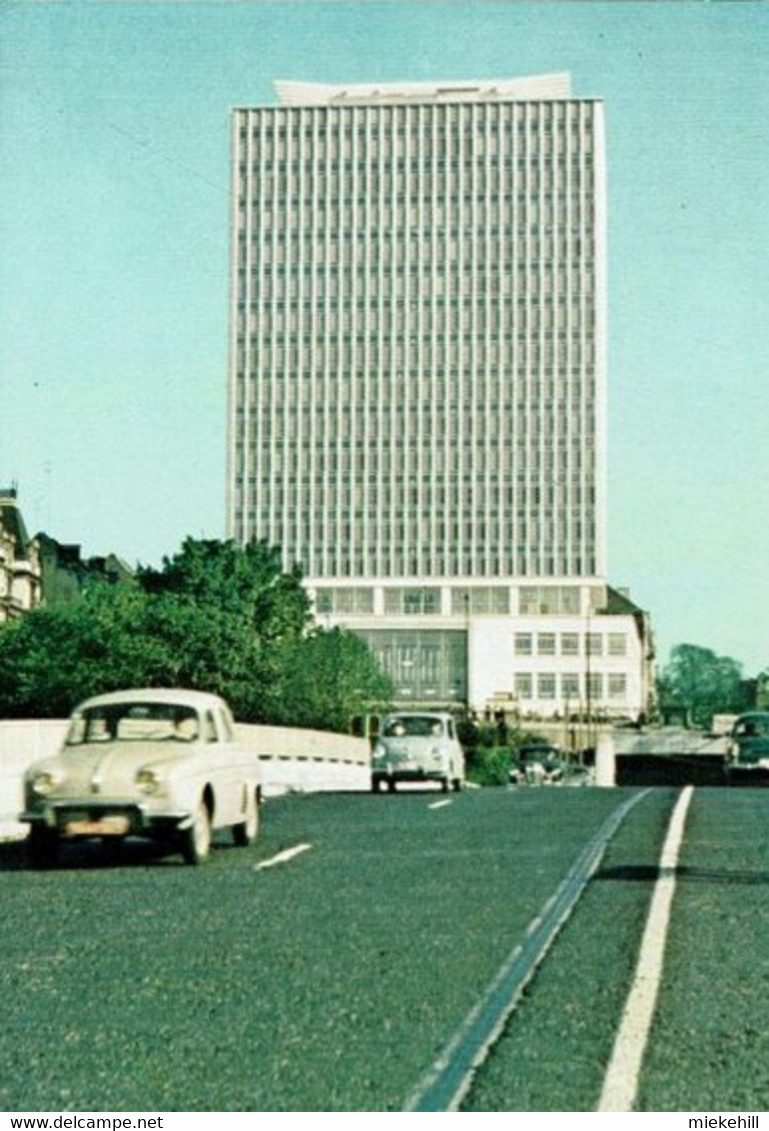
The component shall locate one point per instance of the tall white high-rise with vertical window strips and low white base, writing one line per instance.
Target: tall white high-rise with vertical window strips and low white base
(418, 382)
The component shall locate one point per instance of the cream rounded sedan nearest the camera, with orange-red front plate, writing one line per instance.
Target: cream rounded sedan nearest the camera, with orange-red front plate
(159, 764)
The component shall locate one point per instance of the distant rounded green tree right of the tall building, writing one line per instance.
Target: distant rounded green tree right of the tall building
(701, 685)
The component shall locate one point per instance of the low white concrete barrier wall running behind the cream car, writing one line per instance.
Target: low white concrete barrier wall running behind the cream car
(306, 762)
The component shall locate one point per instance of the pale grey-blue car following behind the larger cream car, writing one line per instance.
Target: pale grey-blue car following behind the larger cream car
(418, 747)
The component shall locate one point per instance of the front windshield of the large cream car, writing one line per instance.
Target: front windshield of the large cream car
(134, 722)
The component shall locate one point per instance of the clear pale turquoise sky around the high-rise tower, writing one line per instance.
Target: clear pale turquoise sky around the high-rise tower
(115, 214)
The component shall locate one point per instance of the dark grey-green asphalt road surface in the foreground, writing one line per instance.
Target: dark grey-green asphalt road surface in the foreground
(326, 969)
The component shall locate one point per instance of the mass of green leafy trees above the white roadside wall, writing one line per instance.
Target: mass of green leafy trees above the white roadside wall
(215, 618)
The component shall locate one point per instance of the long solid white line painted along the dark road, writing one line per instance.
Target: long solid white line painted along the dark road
(621, 1081)
